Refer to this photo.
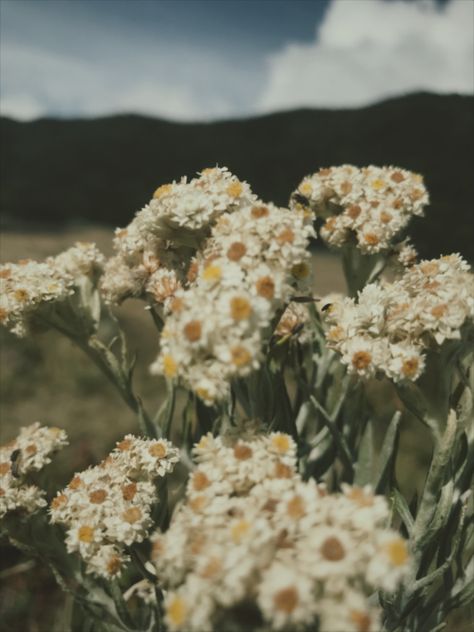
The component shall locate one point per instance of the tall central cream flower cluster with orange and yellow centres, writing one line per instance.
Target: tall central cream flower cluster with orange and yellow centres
(246, 273)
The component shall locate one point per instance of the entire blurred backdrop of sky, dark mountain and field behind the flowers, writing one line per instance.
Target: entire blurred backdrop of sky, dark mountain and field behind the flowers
(104, 100)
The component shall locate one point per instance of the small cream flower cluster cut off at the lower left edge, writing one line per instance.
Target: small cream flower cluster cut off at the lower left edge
(29, 452)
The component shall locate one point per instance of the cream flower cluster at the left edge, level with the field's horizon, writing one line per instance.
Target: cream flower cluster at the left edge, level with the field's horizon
(30, 291)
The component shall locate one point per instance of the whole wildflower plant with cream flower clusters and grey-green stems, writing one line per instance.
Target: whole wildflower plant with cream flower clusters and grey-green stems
(285, 511)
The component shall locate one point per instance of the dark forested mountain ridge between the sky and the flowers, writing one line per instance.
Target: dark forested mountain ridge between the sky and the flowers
(58, 172)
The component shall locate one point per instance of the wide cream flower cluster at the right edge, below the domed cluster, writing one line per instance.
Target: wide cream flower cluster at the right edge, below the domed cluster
(390, 325)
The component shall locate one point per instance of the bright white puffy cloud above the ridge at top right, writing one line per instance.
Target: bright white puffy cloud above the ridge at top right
(367, 50)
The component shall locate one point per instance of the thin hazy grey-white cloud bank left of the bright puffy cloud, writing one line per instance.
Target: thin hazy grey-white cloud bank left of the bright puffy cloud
(92, 71)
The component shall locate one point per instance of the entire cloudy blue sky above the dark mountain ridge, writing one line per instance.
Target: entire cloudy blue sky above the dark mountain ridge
(204, 60)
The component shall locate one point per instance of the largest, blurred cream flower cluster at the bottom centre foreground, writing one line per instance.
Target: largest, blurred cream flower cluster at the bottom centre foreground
(252, 531)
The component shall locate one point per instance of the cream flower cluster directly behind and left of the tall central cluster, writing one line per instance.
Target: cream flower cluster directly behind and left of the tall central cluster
(154, 250)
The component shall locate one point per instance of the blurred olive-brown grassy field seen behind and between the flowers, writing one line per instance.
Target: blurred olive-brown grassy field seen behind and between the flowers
(48, 379)
